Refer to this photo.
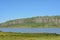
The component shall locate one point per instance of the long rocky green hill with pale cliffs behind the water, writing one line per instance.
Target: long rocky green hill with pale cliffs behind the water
(34, 22)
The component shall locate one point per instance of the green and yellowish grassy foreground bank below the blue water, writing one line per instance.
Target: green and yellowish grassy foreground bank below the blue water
(28, 36)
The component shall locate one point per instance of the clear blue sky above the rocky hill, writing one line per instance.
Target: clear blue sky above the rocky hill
(15, 9)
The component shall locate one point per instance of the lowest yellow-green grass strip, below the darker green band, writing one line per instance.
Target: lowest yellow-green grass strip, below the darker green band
(28, 38)
